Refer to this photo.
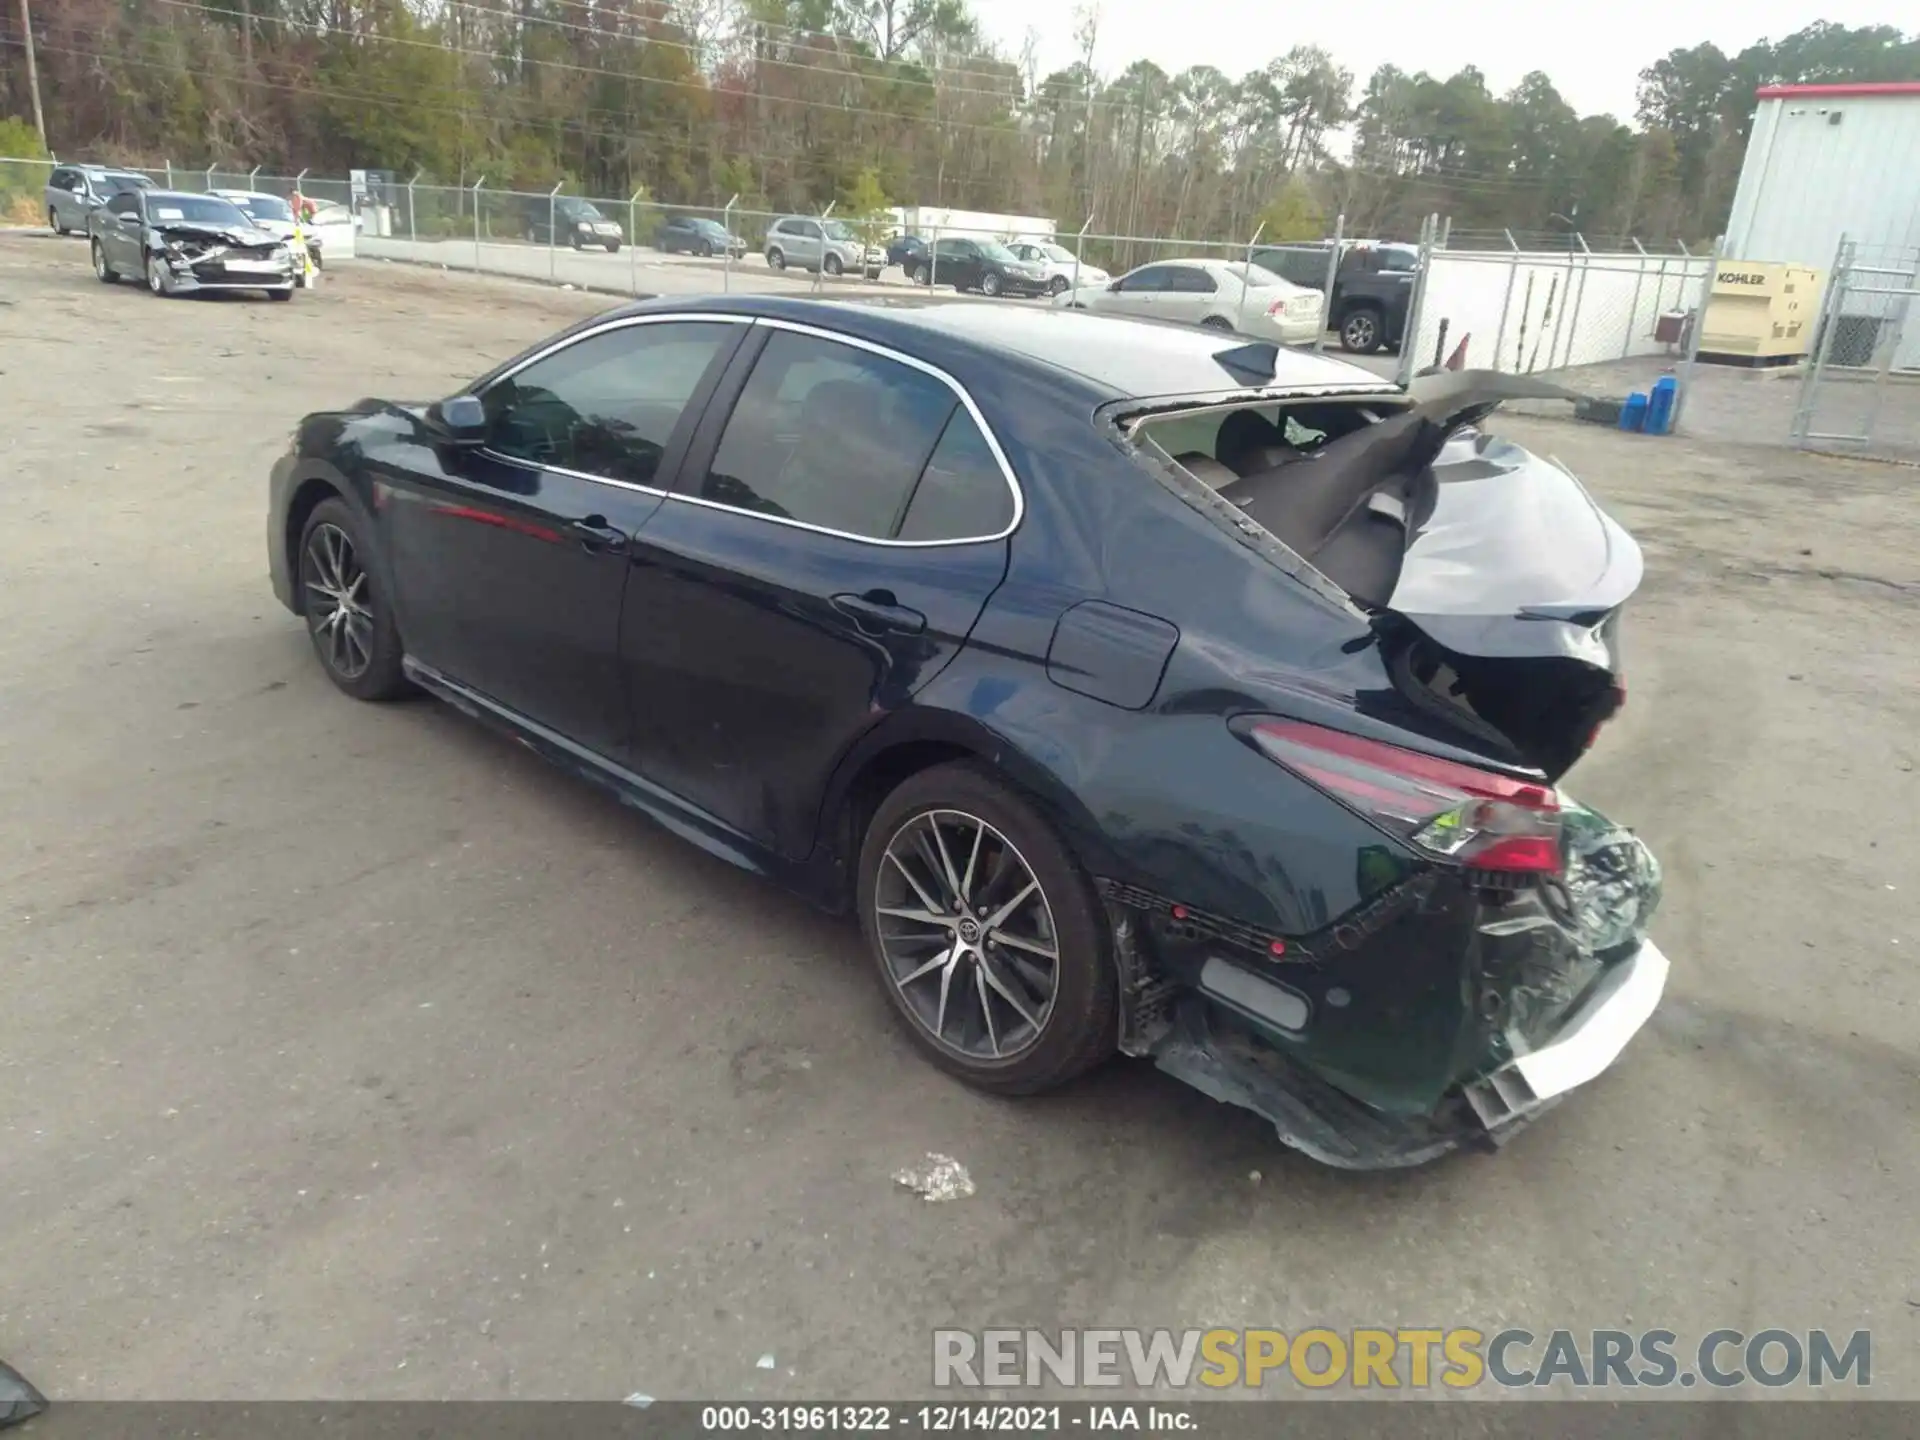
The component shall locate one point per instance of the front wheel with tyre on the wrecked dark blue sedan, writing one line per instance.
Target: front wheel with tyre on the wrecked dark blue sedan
(348, 615)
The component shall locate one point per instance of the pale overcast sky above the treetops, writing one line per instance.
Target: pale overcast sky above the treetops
(1593, 53)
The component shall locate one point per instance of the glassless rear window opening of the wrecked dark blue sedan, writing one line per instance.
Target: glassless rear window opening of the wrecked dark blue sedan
(1341, 483)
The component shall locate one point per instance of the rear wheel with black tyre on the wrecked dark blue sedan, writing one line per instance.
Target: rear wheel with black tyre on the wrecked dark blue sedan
(986, 934)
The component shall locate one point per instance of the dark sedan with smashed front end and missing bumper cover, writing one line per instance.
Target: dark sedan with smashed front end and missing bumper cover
(187, 243)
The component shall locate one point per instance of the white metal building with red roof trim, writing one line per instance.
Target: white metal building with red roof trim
(1829, 162)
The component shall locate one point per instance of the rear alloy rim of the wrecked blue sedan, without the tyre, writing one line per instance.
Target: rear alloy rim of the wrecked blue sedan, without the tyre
(969, 936)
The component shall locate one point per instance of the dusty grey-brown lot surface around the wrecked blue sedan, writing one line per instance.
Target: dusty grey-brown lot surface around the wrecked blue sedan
(348, 1051)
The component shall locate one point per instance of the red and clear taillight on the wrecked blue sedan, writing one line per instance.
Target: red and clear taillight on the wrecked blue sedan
(1474, 819)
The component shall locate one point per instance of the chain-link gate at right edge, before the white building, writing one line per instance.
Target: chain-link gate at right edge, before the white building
(1861, 393)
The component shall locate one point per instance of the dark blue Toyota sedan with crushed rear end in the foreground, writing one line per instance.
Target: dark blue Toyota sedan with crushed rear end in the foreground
(1140, 688)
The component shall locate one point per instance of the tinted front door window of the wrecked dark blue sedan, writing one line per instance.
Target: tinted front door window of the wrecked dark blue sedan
(606, 406)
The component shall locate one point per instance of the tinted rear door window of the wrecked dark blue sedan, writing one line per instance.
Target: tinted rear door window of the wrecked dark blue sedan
(838, 439)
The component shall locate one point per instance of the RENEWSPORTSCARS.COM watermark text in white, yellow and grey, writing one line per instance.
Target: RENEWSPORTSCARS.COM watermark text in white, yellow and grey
(1401, 1358)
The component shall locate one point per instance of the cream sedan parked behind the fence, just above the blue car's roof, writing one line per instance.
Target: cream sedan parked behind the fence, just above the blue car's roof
(1218, 295)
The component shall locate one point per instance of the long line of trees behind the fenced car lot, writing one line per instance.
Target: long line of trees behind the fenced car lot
(798, 103)
